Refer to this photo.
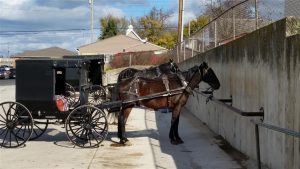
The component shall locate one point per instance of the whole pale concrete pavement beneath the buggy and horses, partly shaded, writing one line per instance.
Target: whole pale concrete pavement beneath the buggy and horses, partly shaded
(150, 147)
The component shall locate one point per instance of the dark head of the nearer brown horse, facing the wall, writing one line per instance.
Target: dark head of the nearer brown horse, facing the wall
(209, 76)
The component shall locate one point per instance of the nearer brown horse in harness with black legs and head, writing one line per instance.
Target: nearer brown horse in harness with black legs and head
(157, 94)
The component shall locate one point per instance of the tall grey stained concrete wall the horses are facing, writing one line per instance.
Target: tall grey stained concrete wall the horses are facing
(261, 69)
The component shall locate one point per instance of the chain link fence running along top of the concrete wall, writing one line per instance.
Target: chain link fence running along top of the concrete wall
(237, 21)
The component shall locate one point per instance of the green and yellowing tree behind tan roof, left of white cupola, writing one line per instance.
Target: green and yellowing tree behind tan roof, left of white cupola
(112, 26)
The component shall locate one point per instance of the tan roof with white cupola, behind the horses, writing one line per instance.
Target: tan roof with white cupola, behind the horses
(130, 42)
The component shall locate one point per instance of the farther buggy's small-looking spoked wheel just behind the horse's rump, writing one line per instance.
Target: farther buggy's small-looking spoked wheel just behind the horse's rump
(97, 95)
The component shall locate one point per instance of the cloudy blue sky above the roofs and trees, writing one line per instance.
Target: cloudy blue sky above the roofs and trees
(37, 24)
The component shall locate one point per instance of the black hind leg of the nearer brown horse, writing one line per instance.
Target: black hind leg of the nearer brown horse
(121, 126)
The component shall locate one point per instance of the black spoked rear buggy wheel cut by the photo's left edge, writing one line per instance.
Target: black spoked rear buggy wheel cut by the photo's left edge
(16, 124)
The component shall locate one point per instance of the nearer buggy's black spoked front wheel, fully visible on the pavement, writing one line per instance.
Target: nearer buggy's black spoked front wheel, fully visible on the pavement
(86, 126)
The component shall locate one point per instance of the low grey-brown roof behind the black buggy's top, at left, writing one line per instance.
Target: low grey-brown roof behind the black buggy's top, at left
(47, 52)
